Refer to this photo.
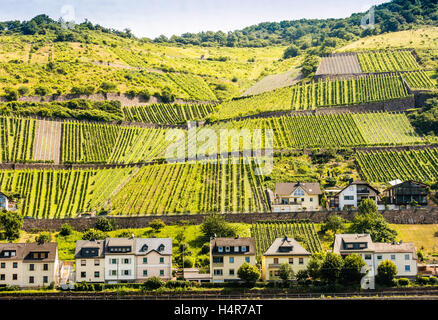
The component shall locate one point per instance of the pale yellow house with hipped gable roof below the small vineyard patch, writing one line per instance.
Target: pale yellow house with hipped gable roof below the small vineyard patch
(283, 250)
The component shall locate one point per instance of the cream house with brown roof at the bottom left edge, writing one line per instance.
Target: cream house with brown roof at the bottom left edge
(29, 265)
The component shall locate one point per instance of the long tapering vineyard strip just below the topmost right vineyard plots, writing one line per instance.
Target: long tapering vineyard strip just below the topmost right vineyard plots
(327, 93)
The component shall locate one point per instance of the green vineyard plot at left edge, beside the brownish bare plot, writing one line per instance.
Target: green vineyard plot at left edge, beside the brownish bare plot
(17, 139)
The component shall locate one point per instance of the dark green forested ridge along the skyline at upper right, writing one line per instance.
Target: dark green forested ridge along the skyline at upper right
(394, 16)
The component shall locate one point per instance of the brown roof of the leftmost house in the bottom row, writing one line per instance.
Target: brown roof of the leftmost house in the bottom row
(24, 250)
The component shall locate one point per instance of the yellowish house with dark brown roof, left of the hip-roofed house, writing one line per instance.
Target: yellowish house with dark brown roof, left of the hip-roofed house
(227, 255)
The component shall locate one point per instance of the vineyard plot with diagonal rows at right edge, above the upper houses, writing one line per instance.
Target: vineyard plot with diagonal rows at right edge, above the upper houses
(384, 166)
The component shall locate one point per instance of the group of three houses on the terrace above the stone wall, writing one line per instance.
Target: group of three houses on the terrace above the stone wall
(298, 196)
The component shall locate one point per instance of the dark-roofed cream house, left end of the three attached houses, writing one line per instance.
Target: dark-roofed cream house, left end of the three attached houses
(90, 261)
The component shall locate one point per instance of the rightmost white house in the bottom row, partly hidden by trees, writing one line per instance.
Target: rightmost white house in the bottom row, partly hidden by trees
(402, 254)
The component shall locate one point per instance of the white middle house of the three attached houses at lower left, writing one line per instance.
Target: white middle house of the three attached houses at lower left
(120, 266)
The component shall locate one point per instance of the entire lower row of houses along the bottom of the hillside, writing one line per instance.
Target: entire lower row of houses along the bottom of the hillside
(133, 260)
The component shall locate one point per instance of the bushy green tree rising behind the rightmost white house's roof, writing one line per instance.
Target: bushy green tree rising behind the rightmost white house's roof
(375, 225)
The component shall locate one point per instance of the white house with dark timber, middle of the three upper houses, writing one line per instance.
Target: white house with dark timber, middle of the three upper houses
(352, 195)
